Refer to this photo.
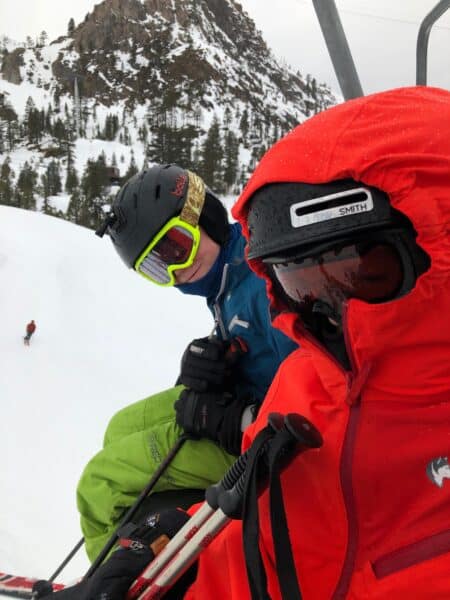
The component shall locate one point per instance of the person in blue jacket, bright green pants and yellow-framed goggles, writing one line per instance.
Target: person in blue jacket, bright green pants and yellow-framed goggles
(172, 230)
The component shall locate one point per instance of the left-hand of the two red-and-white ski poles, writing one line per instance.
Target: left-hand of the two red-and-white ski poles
(212, 495)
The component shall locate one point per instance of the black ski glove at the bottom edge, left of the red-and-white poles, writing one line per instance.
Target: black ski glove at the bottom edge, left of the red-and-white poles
(137, 549)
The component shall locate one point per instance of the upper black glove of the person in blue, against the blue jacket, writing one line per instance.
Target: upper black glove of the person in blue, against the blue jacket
(204, 364)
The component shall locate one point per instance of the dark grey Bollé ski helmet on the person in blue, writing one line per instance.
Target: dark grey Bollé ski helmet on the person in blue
(147, 201)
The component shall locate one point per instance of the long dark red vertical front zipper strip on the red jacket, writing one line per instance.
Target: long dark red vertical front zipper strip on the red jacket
(345, 468)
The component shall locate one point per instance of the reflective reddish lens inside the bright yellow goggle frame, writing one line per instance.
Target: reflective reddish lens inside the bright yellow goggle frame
(176, 247)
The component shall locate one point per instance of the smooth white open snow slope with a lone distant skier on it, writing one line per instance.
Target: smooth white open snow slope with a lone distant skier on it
(105, 338)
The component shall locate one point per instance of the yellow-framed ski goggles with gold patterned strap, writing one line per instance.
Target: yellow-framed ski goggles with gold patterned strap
(175, 246)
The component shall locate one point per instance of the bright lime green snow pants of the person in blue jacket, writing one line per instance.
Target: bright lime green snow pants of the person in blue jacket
(137, 439)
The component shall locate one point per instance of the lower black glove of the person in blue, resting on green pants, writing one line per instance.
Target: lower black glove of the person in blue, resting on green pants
(212, 415)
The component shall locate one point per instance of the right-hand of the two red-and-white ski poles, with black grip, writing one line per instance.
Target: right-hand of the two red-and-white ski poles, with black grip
(303, 436)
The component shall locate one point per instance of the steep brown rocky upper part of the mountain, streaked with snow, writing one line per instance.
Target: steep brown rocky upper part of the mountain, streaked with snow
(207, 50)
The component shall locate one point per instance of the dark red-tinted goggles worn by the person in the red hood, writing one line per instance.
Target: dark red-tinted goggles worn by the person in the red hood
(369, 271)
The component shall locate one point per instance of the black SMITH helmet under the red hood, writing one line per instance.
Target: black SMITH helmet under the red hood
(288, 221)
